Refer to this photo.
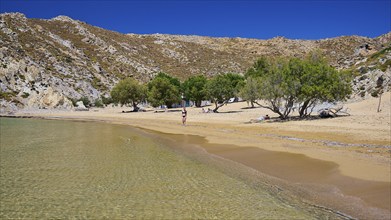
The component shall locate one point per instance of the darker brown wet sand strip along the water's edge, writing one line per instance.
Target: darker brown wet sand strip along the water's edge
(313, 180)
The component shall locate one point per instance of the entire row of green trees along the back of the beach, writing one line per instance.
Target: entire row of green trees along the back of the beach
(282, 84)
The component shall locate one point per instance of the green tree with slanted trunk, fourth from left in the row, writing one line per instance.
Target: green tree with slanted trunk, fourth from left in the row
(223, 87)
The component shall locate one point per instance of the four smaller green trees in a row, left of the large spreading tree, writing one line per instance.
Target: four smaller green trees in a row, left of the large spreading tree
(167, 90)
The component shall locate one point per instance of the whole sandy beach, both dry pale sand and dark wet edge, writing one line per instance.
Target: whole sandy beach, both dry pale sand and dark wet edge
(350, 154)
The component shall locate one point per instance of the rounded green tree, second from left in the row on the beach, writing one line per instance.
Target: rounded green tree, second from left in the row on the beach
(161, 91)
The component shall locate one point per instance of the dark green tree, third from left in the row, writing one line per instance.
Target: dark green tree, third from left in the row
(194, 89)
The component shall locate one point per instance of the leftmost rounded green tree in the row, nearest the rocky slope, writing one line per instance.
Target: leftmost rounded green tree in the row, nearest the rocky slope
(128, 91)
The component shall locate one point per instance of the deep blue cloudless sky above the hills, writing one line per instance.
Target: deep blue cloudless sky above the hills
(308, 19)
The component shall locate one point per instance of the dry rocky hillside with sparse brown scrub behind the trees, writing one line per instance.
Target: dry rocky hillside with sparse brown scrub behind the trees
(48, 63)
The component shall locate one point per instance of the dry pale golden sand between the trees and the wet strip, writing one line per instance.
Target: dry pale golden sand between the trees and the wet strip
(357, 143)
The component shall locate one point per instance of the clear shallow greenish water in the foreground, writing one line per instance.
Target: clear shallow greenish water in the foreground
(63, 169)
